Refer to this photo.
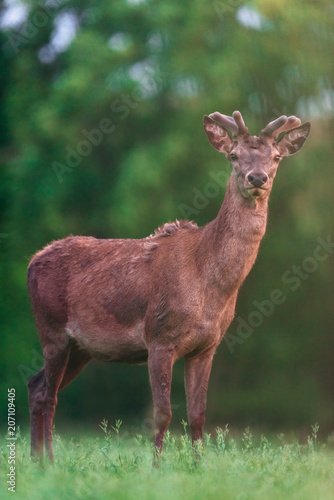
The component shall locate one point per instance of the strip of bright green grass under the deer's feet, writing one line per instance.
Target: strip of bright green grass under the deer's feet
(114, 467)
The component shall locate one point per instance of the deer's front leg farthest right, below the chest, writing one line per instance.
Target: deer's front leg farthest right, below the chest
(197, 373)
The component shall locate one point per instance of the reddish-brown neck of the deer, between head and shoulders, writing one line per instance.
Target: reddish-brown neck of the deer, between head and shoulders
(230, 243)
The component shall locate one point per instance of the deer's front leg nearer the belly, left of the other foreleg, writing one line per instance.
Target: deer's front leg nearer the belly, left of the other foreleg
(160, 365)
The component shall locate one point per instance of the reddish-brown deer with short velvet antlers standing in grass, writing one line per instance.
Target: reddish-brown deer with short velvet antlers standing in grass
(154, 300)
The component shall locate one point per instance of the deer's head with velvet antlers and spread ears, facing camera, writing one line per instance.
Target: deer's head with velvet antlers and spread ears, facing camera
(255, 159)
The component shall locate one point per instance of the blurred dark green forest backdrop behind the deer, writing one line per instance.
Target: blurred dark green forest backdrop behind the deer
(101, 135)
